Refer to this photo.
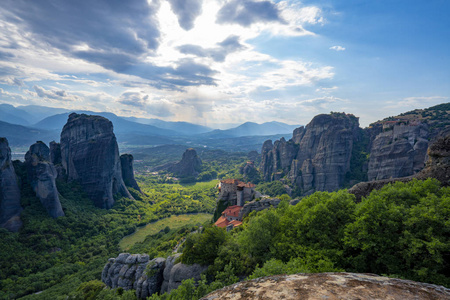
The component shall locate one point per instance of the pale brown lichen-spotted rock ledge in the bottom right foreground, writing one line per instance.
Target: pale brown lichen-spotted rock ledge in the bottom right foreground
(330, 286)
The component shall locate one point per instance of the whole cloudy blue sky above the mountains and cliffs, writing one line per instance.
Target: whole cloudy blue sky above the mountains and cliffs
(227, 61)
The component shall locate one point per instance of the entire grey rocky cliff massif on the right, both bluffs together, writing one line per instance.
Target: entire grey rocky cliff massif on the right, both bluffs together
(332, 151)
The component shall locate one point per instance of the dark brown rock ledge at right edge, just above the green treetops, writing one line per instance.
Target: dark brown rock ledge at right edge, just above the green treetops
(437, 166)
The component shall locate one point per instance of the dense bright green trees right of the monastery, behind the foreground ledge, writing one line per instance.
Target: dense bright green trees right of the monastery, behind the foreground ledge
(402, 230)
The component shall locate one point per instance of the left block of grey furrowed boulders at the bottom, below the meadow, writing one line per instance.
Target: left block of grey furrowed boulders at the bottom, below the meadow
(135, 271)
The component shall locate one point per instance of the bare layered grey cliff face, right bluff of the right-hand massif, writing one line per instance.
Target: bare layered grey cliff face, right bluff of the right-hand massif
(398, 151)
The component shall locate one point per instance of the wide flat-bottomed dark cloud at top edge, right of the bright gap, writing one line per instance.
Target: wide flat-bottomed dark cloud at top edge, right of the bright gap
(247, 12)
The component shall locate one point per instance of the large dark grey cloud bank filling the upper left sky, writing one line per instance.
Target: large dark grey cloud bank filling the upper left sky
(117, 35)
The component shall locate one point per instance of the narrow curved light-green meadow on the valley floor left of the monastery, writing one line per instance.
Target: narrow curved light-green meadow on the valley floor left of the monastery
(173, 222)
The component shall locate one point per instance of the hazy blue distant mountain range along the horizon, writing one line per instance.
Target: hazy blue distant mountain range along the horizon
(24, 125)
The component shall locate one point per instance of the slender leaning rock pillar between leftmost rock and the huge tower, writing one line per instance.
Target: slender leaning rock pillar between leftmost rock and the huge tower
(41, 176)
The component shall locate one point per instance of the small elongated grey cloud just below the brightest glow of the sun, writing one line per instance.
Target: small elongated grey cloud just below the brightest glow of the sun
(227, 46)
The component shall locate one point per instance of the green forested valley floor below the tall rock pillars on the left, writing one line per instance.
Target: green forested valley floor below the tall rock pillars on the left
(63, 253)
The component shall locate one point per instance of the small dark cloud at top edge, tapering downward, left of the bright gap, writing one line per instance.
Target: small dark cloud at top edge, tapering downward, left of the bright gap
(187, 11)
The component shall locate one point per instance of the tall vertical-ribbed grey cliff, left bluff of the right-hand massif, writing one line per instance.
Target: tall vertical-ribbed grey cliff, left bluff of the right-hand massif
(317, 157)
